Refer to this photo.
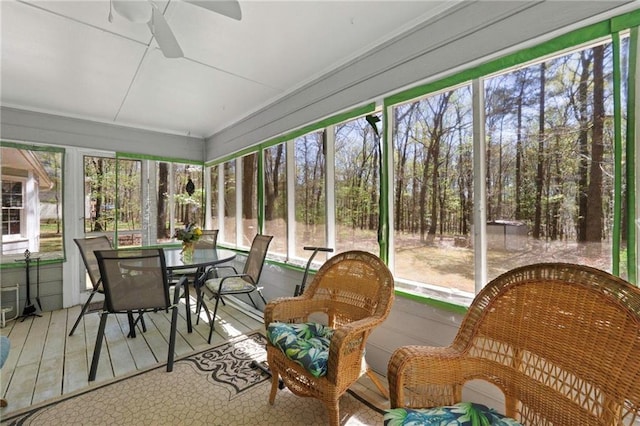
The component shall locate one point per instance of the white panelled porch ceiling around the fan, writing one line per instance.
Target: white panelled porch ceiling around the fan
(65, 58)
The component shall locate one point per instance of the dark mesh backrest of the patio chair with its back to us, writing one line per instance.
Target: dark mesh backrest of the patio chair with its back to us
(134, 279)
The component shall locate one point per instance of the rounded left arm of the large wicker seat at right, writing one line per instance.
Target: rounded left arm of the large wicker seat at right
(424, 376)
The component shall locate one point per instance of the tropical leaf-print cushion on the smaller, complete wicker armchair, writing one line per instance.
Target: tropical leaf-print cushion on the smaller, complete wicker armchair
(306, 344)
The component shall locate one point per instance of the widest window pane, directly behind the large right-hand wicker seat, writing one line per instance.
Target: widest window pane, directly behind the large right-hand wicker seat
(550, 155)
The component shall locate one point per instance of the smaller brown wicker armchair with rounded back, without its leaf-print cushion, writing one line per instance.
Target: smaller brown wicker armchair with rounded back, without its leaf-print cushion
(354, 290)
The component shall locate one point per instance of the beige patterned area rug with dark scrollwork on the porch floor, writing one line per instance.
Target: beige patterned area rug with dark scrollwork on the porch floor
(216, 387)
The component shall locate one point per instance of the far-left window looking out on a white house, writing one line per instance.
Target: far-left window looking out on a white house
(31, 200)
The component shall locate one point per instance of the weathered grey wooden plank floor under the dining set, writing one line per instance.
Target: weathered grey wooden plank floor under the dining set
(44, 362)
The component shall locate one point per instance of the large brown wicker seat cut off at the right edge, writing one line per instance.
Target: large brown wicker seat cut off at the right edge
(561, 341)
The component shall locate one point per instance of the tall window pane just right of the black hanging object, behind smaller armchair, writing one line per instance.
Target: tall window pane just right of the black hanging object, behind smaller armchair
(432, 141)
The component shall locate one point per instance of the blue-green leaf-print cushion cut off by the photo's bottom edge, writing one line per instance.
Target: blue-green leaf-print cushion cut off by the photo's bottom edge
(460, 414)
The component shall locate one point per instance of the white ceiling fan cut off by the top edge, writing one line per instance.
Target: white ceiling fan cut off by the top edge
(147, 12)
